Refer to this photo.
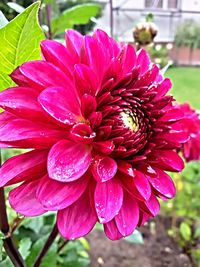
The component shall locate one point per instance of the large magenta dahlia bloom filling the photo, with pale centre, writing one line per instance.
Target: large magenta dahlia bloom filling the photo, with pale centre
(102, 133)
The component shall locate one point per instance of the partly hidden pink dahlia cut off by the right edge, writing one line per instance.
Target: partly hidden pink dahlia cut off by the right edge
(191, 125)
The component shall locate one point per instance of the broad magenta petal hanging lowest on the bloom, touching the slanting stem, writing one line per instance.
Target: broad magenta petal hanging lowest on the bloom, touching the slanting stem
(78, 219)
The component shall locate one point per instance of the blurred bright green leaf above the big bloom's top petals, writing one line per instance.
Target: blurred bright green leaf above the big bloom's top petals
(78, 15)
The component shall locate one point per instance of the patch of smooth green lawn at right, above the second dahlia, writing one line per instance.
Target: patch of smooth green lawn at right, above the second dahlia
(186, 84)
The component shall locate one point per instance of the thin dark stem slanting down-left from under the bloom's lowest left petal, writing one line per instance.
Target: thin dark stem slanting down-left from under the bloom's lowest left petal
(46, 247)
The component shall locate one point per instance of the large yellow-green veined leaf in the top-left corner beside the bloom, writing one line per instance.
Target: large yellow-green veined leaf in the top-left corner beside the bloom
(19, 43)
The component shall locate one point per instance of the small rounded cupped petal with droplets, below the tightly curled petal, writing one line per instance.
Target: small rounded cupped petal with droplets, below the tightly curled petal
(104, 169)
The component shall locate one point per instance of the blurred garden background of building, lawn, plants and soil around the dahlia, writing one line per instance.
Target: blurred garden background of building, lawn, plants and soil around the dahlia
(170, 31)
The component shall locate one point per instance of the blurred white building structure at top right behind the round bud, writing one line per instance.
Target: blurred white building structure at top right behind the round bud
(168, 14)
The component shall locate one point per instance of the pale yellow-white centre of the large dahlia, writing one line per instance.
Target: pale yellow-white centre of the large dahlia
(130, 120)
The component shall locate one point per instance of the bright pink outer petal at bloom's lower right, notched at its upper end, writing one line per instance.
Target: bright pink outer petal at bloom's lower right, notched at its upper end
(163, 184)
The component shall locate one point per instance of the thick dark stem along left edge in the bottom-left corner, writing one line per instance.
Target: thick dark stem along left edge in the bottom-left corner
(9, 246)
